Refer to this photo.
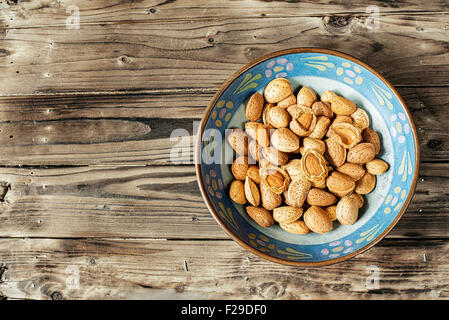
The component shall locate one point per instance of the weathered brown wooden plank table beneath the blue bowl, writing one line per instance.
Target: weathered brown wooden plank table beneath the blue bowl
(93, 207)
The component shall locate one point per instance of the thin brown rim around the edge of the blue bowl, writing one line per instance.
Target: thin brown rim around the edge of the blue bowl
(219, 93)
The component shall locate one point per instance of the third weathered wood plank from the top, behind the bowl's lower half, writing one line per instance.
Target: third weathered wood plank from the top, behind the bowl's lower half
(158, 202)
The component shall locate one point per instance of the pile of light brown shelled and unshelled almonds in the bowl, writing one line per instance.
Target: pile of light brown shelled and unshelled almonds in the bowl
(307, 163)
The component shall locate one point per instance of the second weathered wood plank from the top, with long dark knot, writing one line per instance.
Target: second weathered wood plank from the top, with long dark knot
(136, 129)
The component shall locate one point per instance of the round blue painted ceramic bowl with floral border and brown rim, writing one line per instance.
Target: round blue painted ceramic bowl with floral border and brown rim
(321, 70)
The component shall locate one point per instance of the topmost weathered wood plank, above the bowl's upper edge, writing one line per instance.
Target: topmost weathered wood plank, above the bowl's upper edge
(199, 45)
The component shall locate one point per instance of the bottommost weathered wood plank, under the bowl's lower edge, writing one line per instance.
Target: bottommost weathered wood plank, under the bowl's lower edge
(151, 269)
